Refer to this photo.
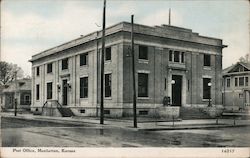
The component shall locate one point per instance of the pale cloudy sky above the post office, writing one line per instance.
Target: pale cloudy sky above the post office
(32, 26)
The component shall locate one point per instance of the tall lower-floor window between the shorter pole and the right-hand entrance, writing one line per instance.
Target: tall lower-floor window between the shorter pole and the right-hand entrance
(142, 85)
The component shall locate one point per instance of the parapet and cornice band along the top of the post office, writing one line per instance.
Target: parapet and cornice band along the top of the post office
(165, 31)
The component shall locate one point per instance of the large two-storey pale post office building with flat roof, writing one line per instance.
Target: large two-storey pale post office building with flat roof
(169, 61)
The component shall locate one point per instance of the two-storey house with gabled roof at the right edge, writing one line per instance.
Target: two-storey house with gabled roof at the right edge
(236, 87)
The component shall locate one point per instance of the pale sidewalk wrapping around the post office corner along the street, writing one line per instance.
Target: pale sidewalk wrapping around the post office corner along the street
(128, 124)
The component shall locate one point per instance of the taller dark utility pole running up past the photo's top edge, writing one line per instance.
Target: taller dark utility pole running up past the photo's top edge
(102, 64)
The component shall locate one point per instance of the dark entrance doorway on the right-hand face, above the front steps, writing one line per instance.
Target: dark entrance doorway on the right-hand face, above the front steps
(176, 90)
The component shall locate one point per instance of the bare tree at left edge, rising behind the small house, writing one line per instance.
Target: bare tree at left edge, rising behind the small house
(7, 72)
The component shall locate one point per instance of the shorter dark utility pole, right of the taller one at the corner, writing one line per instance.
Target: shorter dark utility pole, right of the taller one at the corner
(133, 71)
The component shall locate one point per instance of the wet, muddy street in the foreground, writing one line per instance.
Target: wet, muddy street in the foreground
(19, 133)
